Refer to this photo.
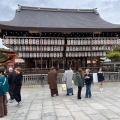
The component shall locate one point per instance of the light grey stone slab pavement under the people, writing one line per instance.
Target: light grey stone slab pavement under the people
(39, 105)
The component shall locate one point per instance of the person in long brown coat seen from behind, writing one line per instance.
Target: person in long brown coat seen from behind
(52, 81)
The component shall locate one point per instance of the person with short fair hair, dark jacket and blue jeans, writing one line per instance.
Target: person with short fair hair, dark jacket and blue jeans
(88, 81)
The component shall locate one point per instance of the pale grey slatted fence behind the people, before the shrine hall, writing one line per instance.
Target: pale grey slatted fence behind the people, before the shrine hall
(38, 79)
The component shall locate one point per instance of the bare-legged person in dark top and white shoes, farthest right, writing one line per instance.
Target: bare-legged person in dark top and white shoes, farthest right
(100, 79)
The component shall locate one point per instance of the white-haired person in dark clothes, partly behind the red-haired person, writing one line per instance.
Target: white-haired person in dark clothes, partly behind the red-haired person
(11, 76)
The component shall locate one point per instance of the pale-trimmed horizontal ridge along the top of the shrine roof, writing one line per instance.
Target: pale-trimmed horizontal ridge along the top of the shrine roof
(56, 9)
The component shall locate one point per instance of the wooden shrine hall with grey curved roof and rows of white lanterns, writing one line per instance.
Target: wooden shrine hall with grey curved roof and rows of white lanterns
(46, 37)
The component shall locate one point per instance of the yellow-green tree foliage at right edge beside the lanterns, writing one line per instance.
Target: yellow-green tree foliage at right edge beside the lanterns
(115, 54)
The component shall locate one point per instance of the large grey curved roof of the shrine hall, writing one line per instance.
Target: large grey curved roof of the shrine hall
(47, 19)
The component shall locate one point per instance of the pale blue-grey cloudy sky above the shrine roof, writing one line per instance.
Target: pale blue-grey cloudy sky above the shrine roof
(109, 9)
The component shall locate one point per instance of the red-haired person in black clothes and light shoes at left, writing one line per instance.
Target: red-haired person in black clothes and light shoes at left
(18, 84)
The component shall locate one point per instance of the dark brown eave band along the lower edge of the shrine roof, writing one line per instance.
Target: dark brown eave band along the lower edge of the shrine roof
(46, 29)
